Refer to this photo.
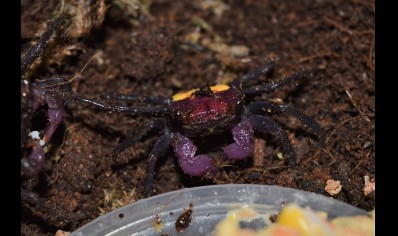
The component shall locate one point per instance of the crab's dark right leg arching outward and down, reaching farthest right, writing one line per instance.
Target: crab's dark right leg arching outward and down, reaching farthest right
(264, 107)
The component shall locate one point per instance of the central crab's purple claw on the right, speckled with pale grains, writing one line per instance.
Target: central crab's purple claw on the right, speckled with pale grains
(243, 146)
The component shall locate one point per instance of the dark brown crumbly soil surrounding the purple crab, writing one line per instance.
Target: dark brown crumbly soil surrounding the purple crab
(163, 47)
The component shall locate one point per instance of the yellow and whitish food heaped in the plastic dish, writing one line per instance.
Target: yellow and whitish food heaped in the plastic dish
(294, 220)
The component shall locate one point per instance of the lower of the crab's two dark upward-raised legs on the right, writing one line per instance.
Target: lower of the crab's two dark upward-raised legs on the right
(272, 86)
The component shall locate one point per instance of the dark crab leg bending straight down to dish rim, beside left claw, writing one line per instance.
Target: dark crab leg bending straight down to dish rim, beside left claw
(158, 150)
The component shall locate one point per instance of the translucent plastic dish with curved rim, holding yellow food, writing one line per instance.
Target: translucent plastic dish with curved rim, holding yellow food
(210, 205)
